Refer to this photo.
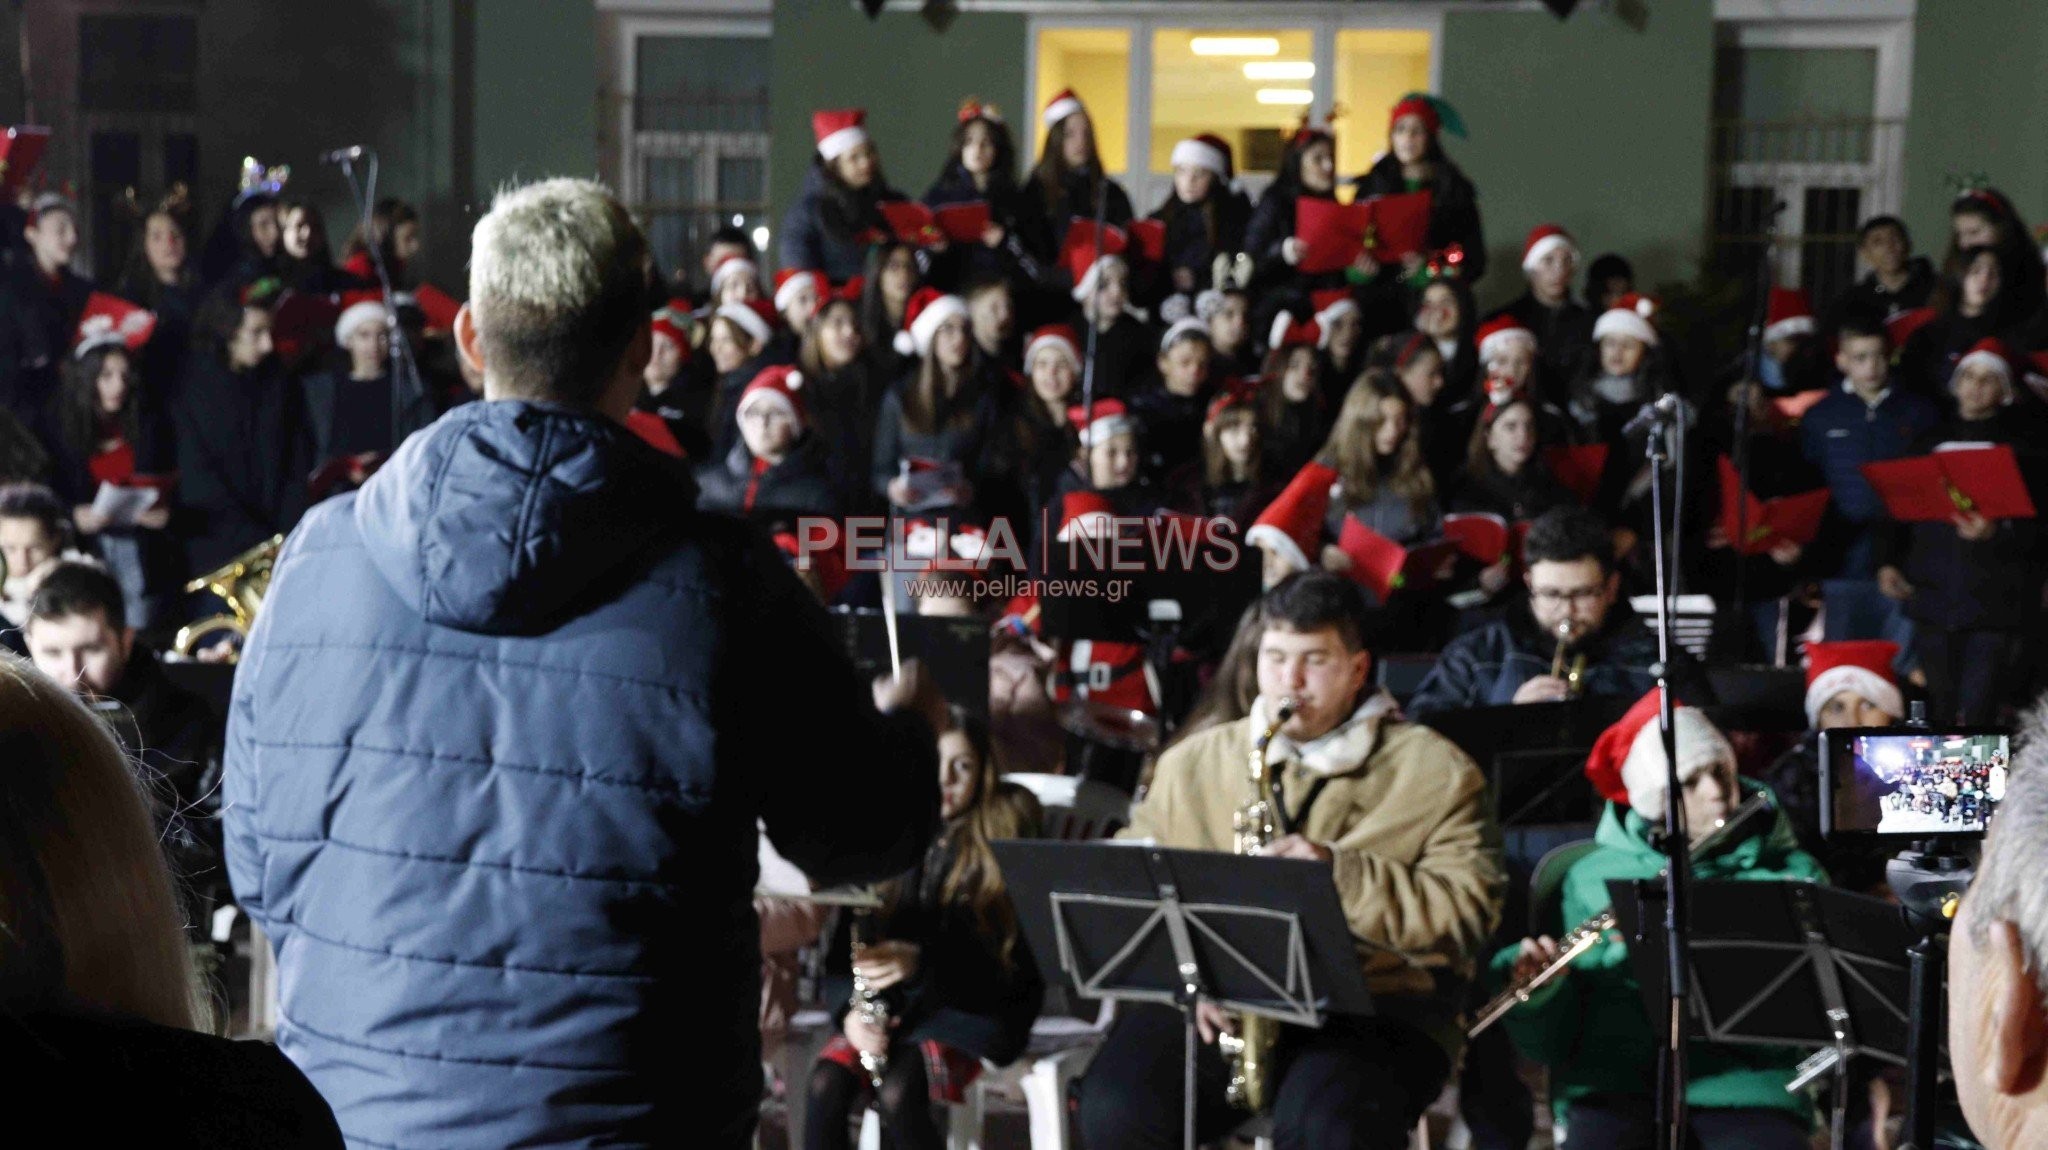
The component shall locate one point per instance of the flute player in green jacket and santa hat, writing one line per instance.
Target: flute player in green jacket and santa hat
(1605, 1092)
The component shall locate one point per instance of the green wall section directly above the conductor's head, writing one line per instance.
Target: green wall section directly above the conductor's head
(536, 91)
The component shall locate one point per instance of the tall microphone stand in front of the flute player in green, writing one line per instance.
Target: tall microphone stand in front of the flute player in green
(1678, 879)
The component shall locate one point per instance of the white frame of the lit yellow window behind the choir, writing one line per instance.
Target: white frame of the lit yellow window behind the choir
(1140, 19)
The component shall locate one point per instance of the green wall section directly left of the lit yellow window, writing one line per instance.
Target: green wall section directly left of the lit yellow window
(906, 75)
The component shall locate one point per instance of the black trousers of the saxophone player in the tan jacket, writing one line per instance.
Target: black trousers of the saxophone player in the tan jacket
(1357, 1083)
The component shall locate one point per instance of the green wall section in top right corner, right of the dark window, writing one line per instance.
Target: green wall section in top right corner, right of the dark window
(1979, 97)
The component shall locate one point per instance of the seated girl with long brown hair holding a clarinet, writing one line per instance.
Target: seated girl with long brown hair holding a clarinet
(947, 959)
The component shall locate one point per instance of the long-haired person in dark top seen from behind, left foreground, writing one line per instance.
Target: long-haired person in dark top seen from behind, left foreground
(95, 973)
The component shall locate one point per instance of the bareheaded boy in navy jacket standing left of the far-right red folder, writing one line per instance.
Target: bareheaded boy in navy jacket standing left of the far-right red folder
(1867, 421)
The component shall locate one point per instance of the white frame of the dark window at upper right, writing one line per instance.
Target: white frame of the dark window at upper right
(1881, 26)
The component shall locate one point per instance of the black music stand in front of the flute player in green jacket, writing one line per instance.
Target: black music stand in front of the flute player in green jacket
(1783, 965)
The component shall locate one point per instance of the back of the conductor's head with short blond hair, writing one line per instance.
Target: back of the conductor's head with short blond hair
(558, 290)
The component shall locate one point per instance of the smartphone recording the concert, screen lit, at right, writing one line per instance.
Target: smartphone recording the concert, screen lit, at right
(1912, 783)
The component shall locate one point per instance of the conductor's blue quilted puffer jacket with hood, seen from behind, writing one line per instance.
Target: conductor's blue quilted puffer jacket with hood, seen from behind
(497, 754)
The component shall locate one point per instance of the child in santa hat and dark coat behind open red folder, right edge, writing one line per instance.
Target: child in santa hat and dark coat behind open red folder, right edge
(1973, 584)
